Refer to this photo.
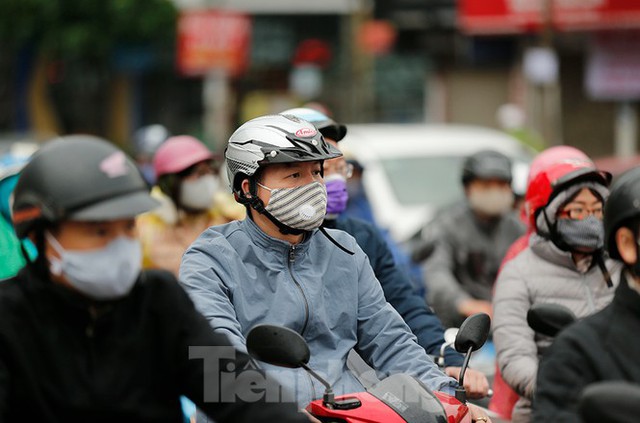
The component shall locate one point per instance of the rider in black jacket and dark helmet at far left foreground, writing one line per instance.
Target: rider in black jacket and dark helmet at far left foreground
(84, 334)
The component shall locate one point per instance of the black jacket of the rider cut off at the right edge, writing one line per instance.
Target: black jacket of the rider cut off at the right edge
(600, 347)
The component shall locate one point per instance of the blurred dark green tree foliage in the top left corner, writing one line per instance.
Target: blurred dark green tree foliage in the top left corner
(85, 29)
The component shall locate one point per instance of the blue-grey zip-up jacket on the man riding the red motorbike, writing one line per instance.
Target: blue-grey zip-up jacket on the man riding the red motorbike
(238, 277)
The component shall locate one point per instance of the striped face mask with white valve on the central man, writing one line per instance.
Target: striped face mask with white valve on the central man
(301, 208)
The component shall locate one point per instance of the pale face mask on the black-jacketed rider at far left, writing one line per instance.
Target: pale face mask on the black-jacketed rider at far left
(103, 274)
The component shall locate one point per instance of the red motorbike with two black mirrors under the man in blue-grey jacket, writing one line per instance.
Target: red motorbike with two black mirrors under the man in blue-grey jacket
(397, 398)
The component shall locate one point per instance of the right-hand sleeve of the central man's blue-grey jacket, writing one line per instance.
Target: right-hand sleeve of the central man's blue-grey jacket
(385, 341)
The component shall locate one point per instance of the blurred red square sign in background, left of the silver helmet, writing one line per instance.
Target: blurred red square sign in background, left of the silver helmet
(210, 39)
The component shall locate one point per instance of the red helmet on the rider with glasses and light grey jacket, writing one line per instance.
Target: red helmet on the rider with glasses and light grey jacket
(555, 178)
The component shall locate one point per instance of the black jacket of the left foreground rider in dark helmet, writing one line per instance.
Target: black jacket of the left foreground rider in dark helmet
(64, 358)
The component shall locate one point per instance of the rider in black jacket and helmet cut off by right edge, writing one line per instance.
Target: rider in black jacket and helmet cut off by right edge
(603, 346)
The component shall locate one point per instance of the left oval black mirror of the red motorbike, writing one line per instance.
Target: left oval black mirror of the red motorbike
(278, 345)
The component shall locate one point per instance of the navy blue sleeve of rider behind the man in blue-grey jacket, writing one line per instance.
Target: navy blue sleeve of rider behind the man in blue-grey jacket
(398, 291)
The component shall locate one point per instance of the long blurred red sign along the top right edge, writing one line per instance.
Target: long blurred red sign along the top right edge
(517, 16)
